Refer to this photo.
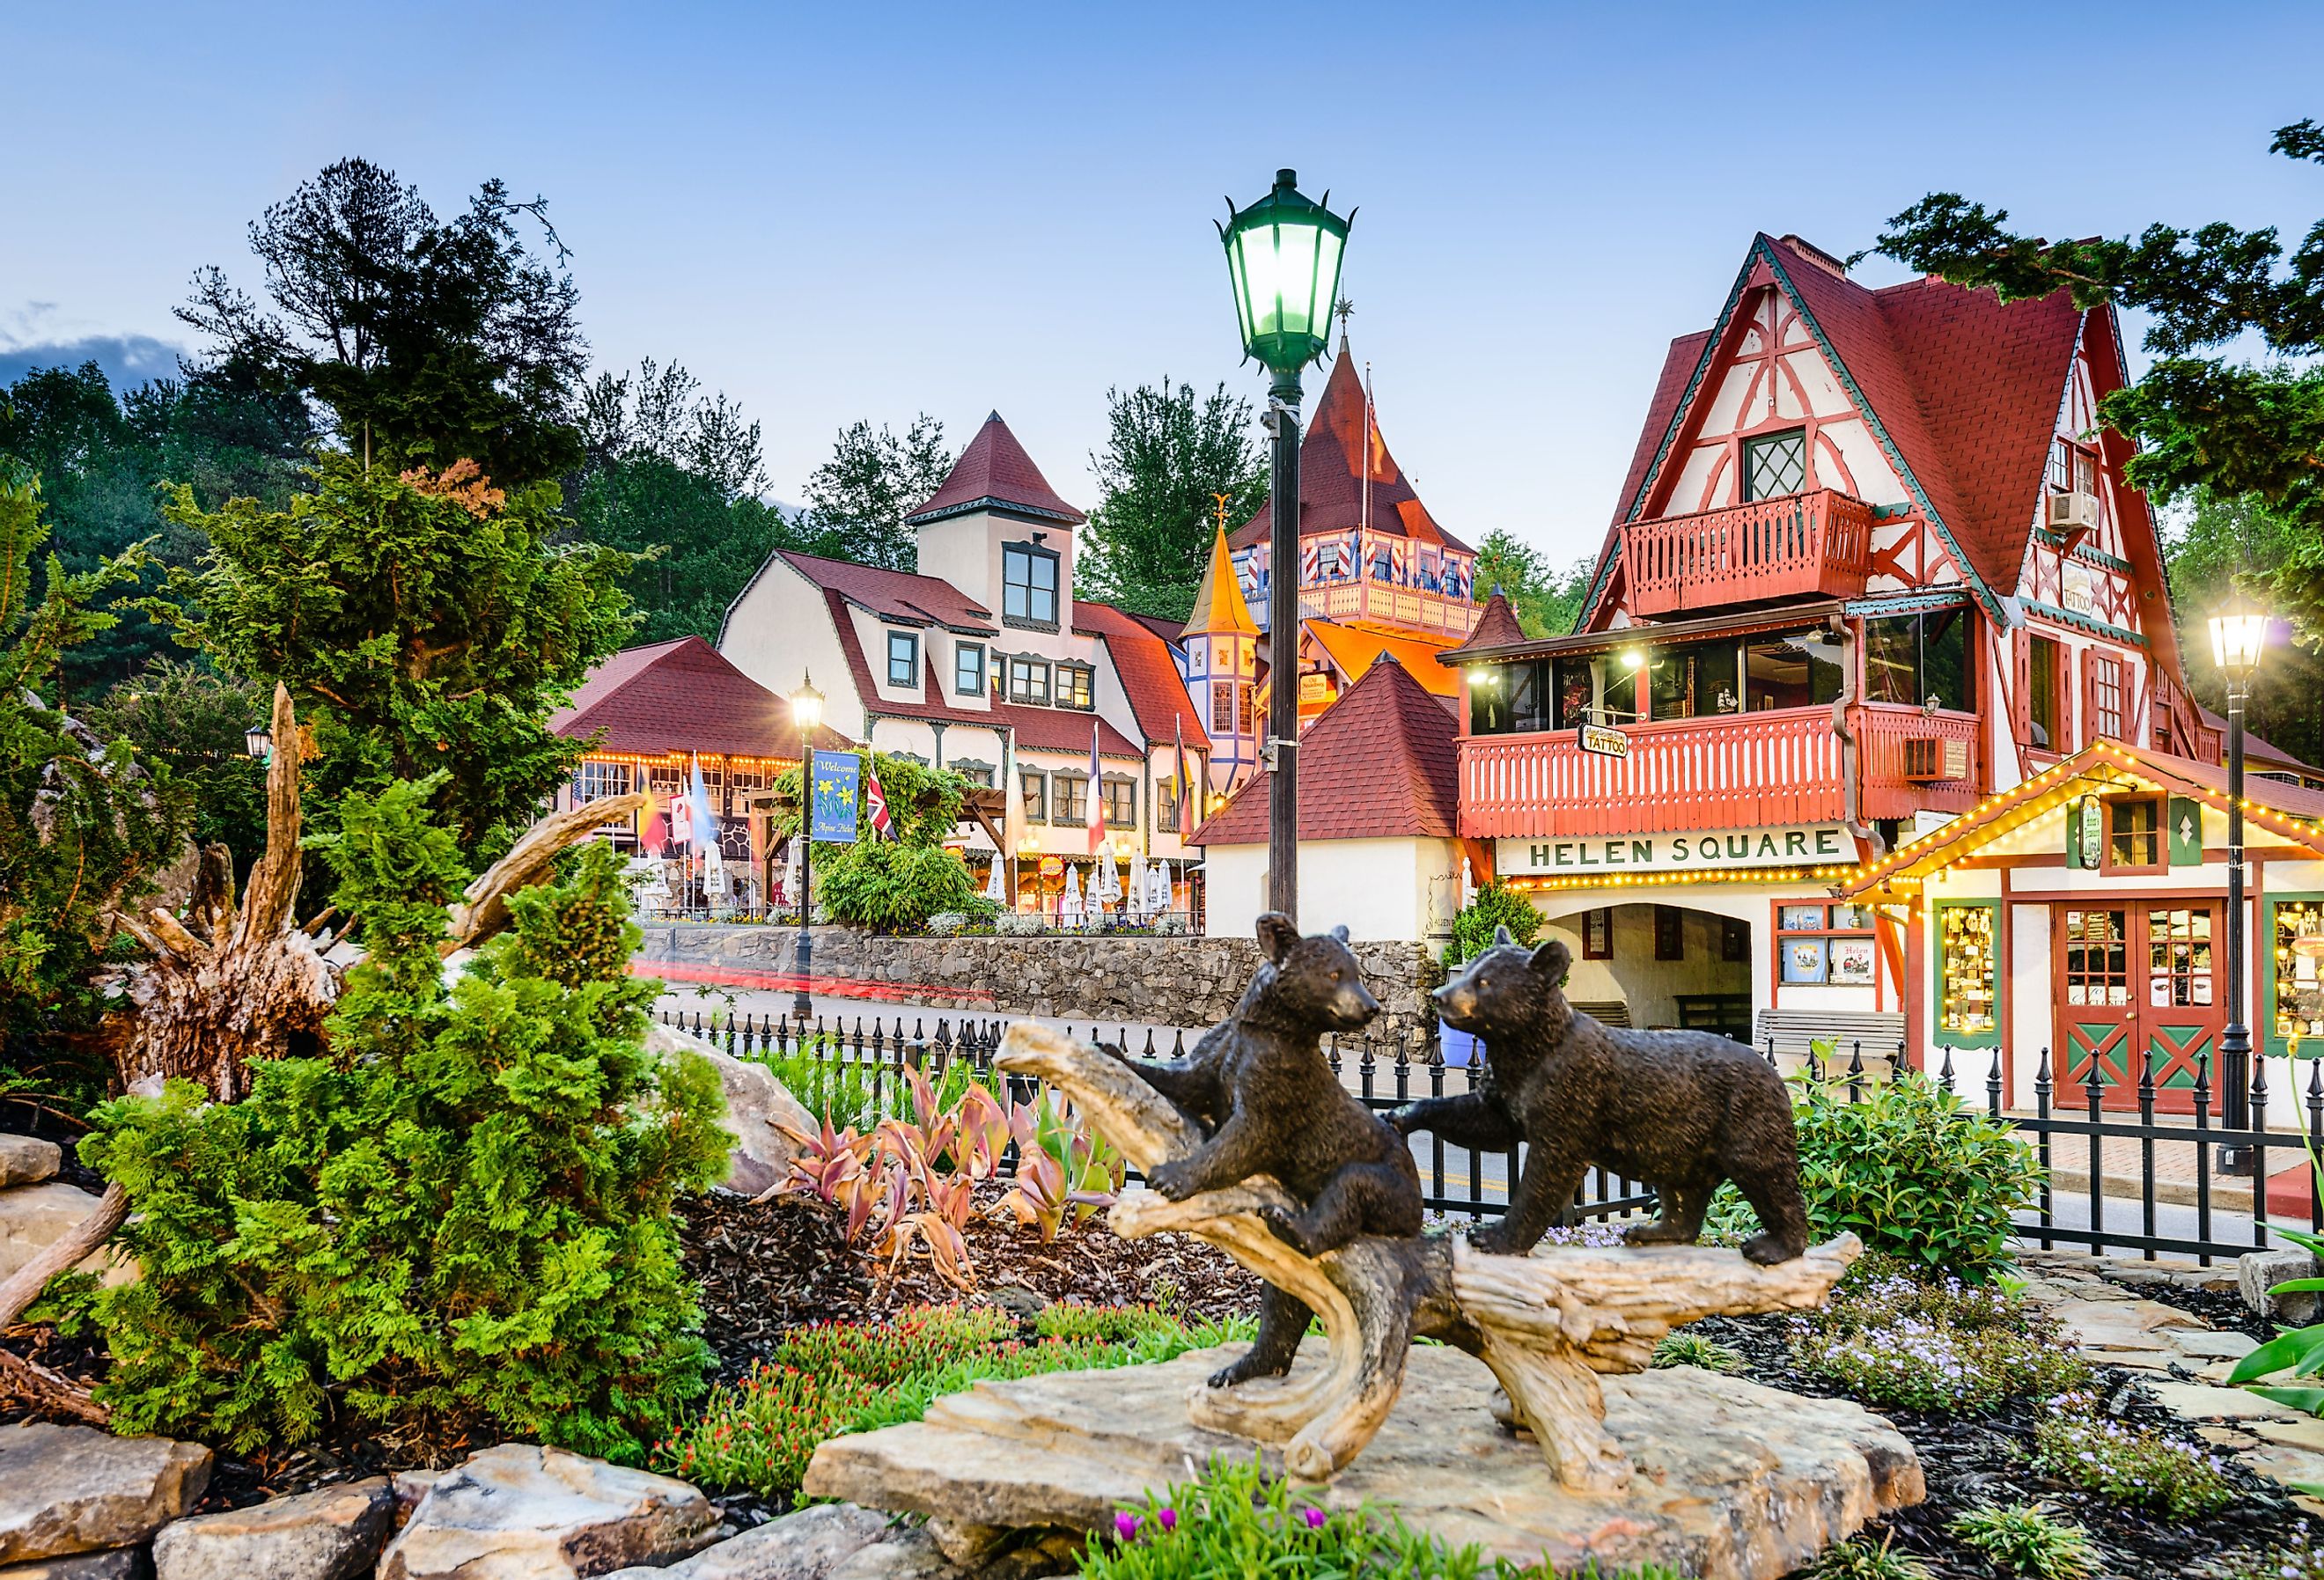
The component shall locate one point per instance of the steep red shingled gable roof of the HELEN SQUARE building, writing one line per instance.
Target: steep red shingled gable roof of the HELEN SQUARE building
(1965, 387)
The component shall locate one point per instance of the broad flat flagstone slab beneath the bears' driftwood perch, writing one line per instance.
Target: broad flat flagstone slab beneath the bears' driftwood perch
(1735, 1481)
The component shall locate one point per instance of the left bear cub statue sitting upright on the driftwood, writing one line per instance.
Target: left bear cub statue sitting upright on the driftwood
(1268, 1103)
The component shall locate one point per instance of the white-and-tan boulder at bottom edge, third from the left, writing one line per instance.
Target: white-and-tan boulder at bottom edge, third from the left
(540, 1514)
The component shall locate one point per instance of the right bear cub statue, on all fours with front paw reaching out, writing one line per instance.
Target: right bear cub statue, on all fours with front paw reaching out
(1674, 1109)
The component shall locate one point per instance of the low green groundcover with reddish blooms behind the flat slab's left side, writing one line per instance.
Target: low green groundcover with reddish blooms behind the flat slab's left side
(859, 1377)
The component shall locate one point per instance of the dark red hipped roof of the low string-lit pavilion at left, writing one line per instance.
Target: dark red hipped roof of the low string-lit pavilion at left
(682, 696)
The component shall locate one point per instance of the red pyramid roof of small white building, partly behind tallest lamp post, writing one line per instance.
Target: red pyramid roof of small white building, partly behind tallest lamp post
(1377, 766)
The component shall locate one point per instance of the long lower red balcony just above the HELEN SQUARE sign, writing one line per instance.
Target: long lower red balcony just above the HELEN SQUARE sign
(1742, 770)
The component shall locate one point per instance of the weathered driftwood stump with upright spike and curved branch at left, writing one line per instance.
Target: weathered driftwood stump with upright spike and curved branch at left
(245, 982)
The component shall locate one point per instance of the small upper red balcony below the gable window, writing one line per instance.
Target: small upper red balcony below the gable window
(1814, 545)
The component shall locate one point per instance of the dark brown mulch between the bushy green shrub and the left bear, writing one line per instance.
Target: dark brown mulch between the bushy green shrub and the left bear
(768, 1267)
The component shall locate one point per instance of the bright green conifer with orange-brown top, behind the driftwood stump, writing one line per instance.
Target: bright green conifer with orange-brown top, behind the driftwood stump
(422, 622)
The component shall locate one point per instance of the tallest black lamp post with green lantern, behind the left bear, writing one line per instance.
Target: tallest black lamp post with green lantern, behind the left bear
(1284, 257)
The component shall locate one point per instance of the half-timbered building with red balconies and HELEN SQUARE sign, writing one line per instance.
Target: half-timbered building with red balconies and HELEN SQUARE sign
(1872, 566)
